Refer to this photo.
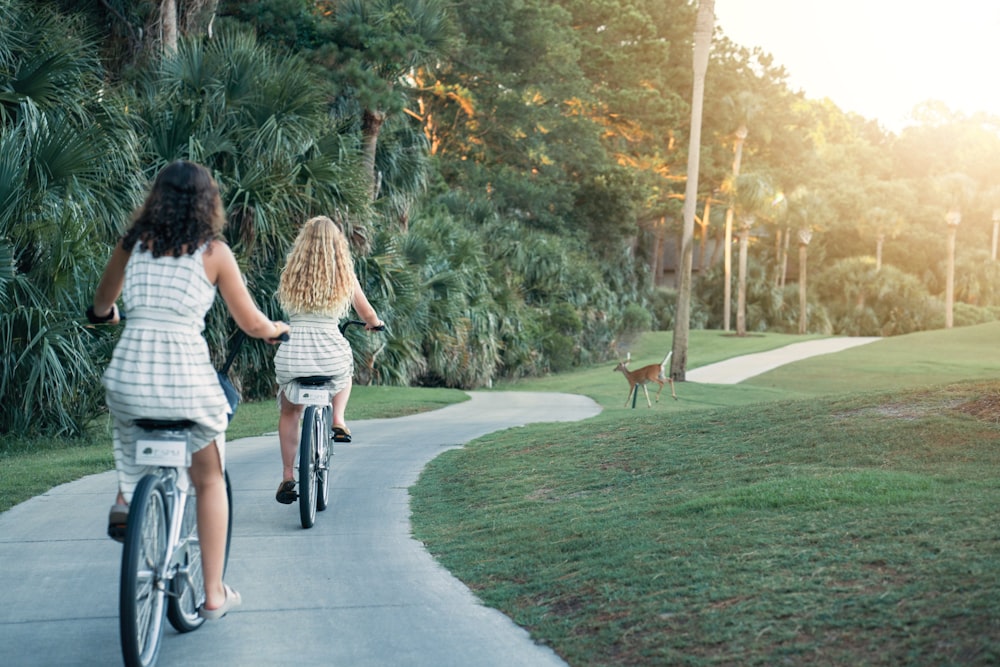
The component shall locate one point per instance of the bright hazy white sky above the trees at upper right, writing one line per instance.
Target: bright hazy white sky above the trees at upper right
(878, 58)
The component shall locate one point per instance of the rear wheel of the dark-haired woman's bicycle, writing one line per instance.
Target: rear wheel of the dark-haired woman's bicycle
(141, 595)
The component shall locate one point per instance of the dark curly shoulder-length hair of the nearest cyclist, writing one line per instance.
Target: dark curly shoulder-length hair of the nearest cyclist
(182, 212)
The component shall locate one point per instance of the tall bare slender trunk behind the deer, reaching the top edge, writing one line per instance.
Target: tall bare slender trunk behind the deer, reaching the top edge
(704, 24)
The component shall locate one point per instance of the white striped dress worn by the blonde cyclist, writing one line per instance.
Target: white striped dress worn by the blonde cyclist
(315, 347)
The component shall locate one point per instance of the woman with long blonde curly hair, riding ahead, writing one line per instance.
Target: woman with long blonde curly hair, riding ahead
(317, 288)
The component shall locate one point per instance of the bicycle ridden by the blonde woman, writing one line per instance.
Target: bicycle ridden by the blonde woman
(315, 442)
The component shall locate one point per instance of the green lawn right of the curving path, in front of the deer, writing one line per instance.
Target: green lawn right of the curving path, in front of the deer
(849, 516)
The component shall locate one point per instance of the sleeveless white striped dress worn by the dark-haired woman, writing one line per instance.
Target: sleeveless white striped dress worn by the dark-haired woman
(161, 368)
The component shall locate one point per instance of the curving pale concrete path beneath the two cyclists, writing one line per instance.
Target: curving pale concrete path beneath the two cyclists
(355, 590)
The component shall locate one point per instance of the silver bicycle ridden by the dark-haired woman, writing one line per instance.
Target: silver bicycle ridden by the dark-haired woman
(161, 568)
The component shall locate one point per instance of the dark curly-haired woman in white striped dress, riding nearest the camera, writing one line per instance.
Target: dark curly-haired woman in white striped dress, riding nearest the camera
(167, 269)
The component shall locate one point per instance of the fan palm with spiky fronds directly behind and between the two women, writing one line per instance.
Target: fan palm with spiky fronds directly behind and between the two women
(260, 122)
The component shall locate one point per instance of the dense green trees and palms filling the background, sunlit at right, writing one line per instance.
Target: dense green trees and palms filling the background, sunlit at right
(513, 172)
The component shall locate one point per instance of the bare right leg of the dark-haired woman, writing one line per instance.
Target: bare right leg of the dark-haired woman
(213, 520)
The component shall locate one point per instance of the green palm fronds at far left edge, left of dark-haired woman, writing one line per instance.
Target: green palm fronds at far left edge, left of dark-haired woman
(68, 177)
